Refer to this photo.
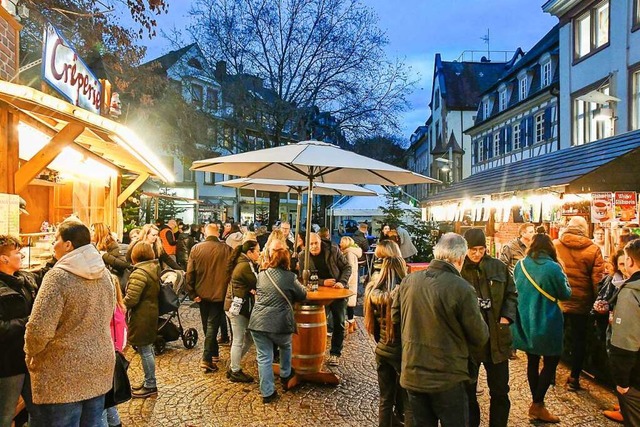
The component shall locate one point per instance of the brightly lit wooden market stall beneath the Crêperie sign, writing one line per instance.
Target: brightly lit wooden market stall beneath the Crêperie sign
(63, 159)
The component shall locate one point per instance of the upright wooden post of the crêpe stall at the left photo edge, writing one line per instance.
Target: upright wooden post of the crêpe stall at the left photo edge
(9, 145)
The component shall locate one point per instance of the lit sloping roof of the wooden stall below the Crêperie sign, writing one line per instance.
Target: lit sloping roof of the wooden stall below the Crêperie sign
(101, 138)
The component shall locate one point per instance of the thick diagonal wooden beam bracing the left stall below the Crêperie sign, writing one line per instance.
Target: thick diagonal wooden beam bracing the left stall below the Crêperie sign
(46, 155)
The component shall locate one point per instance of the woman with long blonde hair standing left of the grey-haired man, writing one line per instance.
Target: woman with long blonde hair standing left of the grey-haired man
(377, 320)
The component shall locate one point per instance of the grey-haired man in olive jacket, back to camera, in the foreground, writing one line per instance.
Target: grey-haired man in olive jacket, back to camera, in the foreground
(435, 359)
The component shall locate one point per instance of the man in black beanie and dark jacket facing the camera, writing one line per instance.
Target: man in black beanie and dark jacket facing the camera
(498, 302)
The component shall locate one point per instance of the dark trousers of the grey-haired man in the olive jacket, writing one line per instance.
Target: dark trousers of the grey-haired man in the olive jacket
(449, 406)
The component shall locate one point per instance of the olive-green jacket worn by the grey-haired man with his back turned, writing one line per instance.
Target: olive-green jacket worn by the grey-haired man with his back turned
(439, 320)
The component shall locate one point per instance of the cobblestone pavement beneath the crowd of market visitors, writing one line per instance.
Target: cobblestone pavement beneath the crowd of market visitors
(188, 397)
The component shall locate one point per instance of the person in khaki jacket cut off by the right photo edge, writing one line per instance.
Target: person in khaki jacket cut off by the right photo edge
(624, 350)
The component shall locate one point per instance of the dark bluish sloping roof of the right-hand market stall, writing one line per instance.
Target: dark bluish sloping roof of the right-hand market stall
(605, 165)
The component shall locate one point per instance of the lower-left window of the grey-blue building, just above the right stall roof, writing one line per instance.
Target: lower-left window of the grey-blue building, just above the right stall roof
(585, 126)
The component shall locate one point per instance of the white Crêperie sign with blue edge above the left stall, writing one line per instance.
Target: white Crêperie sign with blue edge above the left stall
(65, 71)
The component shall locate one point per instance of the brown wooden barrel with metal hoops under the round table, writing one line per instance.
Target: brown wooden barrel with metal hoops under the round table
(309, 342)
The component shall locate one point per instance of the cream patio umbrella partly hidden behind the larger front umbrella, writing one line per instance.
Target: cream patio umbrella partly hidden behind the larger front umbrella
(283, 186)
